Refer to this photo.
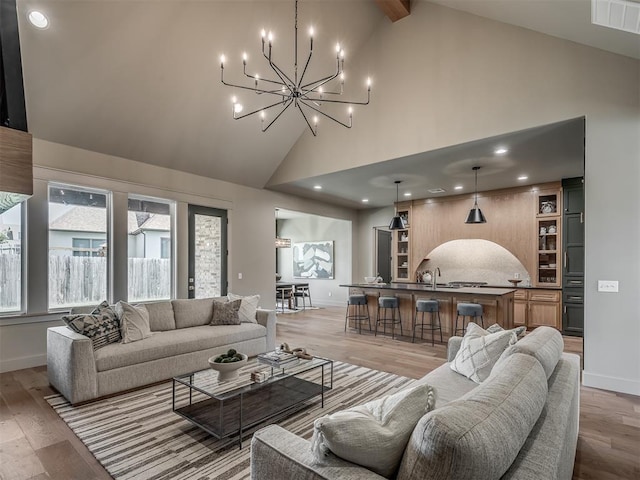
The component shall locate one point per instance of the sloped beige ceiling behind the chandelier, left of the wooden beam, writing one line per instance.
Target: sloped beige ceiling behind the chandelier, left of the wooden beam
(141, 80)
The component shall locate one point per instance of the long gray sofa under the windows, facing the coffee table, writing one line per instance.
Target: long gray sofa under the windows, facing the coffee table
(182, 342)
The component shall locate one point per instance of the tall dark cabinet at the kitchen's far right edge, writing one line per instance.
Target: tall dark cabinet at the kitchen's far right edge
(573, 256)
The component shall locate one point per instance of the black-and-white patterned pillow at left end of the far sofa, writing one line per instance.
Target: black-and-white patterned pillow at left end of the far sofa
(101, 325)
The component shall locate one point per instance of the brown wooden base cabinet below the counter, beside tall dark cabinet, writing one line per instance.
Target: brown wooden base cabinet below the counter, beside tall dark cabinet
(536, 307)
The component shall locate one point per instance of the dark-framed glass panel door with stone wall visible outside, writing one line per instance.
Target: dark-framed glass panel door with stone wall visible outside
(207, 252)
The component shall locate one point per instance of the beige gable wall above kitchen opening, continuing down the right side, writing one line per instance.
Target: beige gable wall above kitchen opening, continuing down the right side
(443, 77)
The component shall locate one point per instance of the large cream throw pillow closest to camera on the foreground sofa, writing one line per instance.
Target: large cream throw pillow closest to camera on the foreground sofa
(373, 435)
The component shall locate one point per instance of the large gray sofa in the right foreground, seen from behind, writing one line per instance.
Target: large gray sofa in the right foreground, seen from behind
(520, 423)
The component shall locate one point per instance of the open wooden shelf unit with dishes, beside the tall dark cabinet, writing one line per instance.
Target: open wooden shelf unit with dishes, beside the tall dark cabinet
(549, 239)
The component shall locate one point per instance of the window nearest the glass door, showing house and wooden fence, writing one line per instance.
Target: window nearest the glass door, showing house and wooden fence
(150, 259)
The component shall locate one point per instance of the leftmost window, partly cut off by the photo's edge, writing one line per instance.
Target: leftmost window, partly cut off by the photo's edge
(11, 260)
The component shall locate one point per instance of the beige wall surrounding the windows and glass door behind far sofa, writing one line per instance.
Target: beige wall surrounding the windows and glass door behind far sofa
(251, 233)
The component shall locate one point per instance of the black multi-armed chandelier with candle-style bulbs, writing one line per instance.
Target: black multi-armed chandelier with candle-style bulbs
(307, 97)
